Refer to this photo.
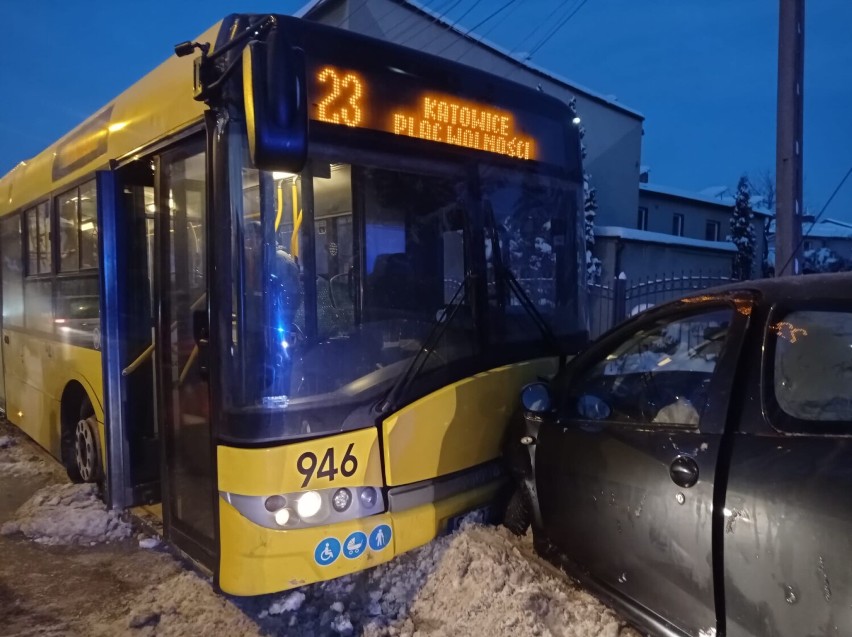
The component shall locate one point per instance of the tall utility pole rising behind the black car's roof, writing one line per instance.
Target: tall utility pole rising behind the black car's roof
(788, 150)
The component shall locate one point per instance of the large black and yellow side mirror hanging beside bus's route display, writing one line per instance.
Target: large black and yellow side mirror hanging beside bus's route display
(275, 95)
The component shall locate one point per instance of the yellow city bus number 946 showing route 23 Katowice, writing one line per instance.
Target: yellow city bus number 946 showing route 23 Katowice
(288, 285)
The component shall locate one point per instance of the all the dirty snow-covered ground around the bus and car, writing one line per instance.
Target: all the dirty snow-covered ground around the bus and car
(480, 580)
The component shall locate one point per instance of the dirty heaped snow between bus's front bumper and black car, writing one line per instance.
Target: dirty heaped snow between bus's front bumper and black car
(478, 581)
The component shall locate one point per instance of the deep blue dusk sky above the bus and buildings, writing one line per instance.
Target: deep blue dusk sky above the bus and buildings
(702, 72)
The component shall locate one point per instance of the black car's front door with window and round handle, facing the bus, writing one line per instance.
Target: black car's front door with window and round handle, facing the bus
(625, 474)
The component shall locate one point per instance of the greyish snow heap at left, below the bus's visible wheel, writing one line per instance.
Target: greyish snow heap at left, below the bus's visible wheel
(67, 514)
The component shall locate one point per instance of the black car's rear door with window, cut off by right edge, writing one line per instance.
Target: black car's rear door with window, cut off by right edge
(788, 505)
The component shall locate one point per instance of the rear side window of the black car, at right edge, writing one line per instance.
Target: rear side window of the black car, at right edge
(812, 369)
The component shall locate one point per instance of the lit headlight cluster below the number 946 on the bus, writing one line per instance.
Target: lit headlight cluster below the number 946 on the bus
(303, 509)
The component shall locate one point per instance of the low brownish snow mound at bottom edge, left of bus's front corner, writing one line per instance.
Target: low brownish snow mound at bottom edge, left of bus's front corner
(182, 604)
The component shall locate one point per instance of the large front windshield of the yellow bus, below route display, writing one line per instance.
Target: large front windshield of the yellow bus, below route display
(347, 269)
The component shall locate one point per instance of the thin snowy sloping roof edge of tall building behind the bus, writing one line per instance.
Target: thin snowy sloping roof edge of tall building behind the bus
(515, 58)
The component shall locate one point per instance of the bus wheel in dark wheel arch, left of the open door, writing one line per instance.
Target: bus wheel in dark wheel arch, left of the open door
(80, 440)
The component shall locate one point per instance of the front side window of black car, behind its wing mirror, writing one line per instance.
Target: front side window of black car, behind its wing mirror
(660, 374)
